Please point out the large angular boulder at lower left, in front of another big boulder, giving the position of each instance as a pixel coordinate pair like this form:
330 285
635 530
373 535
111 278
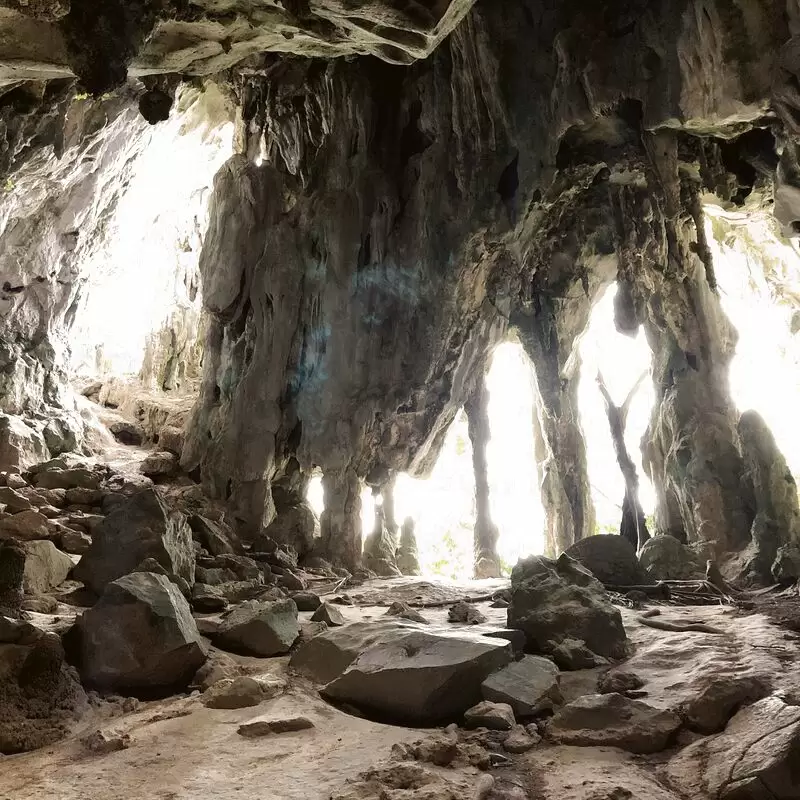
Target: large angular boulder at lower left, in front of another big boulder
140 637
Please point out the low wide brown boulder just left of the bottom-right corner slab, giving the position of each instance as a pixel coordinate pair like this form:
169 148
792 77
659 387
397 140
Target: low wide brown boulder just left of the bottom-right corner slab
612 720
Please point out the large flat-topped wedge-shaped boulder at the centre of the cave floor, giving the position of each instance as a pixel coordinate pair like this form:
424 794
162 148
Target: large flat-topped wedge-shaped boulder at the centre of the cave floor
418 675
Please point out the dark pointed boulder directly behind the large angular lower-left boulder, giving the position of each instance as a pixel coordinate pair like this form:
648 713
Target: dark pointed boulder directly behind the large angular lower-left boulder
139 528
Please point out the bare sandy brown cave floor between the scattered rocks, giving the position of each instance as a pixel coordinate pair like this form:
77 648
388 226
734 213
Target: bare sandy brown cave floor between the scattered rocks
180 750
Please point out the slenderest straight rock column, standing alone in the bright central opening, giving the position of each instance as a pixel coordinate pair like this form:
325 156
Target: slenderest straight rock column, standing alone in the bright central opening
486 534
